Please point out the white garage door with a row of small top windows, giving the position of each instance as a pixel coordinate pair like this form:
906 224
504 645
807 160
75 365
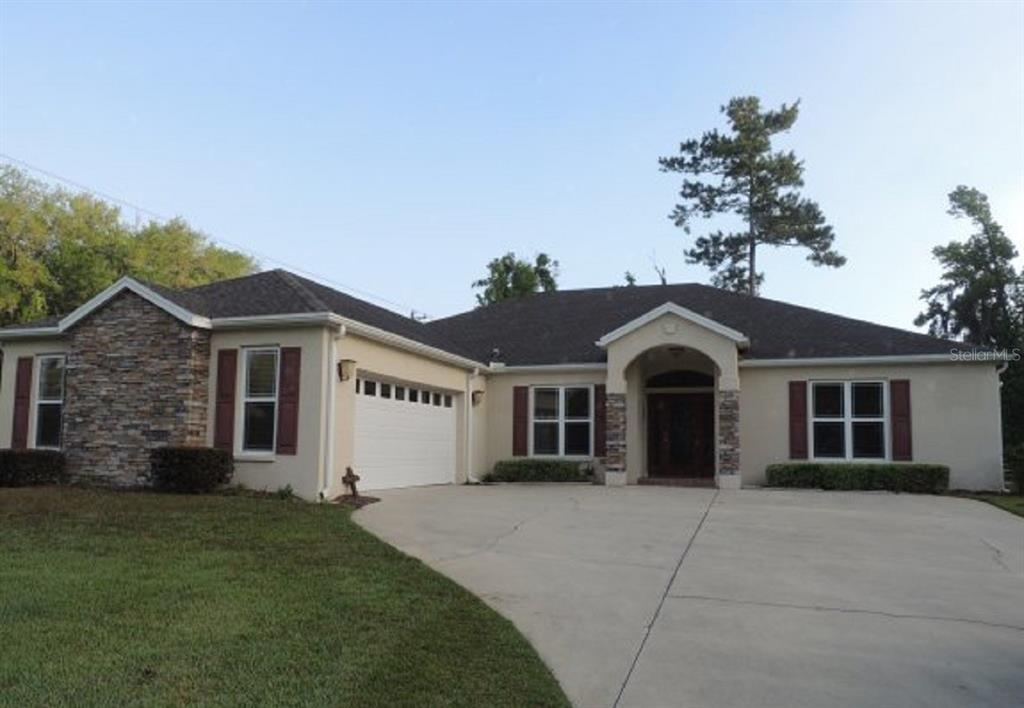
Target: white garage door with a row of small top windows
404 442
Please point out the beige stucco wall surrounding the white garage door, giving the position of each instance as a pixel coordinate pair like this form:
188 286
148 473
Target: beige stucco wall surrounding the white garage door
388 363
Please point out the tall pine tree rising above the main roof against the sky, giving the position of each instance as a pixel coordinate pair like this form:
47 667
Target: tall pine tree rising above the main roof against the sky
740 174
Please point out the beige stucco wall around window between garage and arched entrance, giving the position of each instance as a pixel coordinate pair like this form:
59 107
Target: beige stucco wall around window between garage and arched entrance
498 414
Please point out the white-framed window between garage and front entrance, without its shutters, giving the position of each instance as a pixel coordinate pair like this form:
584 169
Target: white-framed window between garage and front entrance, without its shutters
563 421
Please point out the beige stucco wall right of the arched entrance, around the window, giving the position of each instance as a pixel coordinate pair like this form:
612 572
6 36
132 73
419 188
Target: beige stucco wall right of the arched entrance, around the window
955 411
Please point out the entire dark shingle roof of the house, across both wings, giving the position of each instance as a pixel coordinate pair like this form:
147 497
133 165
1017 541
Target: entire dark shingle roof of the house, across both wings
560 327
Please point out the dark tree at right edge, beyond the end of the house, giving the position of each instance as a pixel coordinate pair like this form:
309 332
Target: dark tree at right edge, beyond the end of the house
980 299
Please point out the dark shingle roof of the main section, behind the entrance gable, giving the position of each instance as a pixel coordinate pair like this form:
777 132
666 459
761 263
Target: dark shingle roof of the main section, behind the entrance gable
562 327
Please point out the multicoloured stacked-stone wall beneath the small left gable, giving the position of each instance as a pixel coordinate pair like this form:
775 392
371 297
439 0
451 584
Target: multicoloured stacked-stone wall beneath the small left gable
137 380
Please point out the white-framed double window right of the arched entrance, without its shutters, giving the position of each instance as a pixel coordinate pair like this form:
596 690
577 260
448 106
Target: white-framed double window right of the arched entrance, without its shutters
848 420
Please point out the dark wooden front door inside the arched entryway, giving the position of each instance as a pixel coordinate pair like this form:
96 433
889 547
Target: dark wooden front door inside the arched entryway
681 435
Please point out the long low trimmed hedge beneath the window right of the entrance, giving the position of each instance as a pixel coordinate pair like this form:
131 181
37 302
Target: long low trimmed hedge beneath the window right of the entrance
922 479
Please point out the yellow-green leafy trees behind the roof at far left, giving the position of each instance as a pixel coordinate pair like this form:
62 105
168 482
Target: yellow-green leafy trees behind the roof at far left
58 249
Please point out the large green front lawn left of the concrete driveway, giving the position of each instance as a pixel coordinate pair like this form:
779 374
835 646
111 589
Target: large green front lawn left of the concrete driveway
114 599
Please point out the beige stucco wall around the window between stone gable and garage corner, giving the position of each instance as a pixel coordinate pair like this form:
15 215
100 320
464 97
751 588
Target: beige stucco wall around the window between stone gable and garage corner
305 471
